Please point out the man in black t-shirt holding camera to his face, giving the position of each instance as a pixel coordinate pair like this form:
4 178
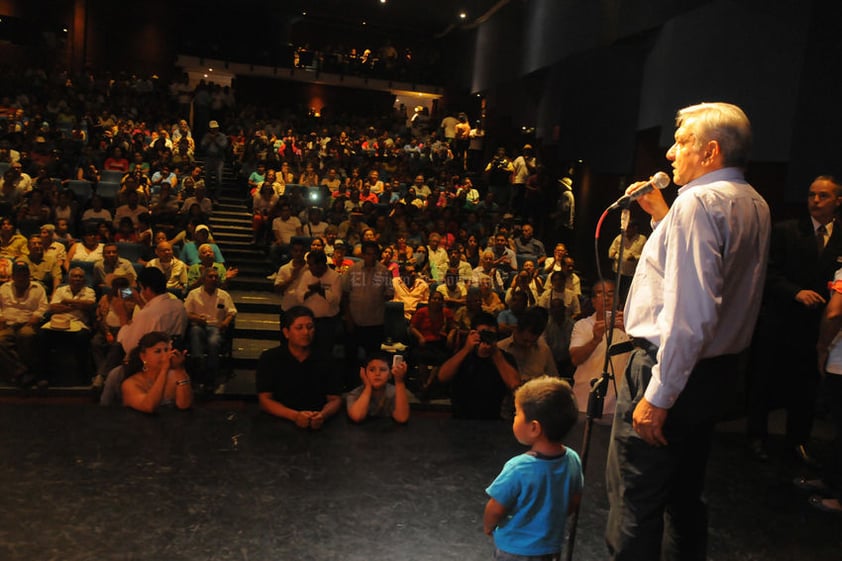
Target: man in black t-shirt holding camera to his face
480 374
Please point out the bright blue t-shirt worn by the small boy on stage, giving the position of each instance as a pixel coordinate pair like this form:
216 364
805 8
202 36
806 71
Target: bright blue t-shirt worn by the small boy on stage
536 494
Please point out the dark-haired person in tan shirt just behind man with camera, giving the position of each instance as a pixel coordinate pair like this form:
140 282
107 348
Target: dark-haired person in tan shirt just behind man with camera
532 355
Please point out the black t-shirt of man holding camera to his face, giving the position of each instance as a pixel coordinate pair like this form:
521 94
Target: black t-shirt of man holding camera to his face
477 390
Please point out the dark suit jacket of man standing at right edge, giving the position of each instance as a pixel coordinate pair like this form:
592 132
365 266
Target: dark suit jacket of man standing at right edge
794 265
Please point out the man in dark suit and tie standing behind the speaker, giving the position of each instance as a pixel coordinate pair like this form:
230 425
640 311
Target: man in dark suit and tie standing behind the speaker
803 258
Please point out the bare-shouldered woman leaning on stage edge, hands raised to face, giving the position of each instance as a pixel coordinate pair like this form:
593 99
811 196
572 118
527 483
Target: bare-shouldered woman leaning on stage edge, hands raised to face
156 376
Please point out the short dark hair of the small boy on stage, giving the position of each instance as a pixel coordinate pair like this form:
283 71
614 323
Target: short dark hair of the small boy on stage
551 402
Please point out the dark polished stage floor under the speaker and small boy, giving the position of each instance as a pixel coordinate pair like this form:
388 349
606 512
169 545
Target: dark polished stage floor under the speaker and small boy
224 482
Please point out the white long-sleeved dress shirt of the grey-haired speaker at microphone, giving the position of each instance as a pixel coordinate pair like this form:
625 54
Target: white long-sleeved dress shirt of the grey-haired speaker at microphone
697 289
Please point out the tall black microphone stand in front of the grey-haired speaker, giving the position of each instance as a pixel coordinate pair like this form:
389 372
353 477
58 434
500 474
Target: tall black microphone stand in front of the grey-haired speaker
599 386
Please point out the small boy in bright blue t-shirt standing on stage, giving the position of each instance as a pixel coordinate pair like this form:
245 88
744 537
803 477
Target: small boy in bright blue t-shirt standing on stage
533 495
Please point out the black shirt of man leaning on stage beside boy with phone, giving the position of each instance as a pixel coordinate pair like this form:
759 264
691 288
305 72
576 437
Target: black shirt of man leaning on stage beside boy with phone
303 386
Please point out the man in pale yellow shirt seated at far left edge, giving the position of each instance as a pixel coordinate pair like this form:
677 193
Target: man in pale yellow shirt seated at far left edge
23 303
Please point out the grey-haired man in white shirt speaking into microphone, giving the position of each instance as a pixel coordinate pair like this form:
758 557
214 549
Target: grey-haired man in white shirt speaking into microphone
691 310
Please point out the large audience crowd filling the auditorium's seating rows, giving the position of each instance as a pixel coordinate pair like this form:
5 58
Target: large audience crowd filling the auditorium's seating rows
105 181
